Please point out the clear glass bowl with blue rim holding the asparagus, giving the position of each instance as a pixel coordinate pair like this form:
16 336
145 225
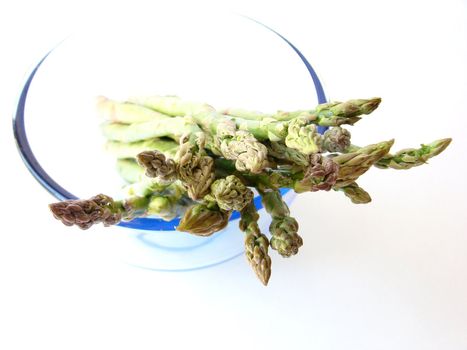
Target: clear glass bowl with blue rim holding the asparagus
224 60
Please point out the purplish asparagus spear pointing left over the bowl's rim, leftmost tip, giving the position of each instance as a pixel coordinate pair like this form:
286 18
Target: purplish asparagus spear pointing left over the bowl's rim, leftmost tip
98 209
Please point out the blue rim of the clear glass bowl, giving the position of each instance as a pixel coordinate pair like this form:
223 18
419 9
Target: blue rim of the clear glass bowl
149 224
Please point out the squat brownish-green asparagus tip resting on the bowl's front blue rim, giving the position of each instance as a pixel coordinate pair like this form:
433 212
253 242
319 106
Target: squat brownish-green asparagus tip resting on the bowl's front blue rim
204 219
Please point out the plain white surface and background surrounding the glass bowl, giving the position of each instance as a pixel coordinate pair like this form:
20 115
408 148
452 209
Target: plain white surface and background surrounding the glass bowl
389 275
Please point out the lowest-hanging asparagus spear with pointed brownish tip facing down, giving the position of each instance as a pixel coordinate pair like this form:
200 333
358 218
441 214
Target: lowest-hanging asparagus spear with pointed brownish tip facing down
256 243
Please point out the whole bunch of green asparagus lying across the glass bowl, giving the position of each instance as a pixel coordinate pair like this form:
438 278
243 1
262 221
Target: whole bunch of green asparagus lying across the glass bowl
189 160
